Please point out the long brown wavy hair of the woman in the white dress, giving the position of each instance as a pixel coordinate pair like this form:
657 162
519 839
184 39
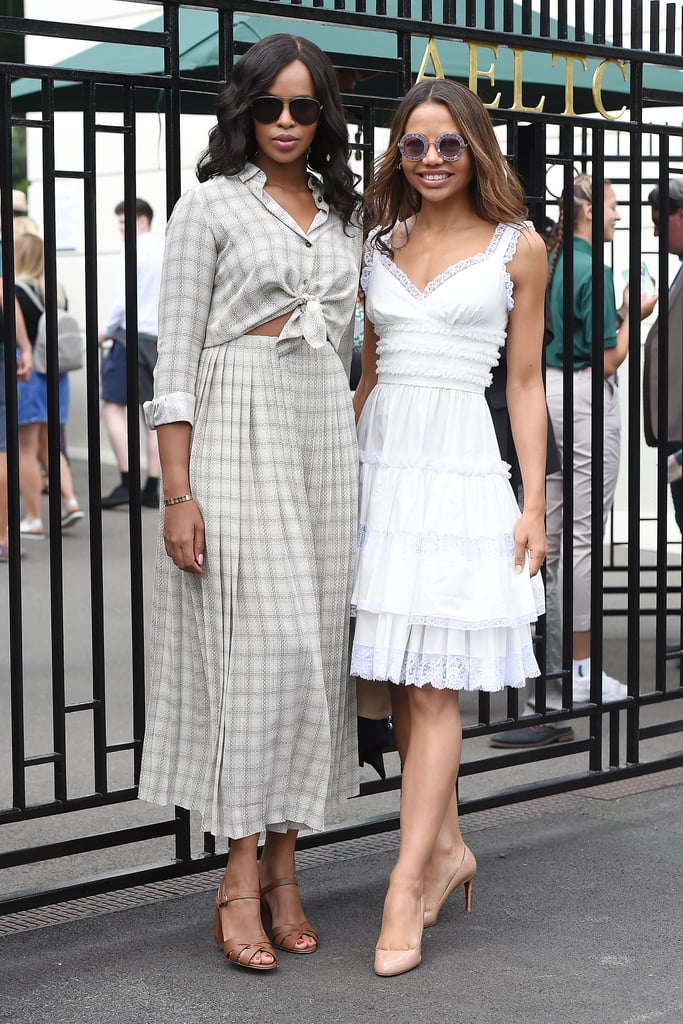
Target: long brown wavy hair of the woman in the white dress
495 190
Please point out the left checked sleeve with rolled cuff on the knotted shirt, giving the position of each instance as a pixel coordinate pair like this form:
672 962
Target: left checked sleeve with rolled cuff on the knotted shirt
185 305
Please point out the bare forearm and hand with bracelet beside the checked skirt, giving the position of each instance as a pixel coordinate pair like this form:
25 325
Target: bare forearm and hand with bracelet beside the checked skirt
184 525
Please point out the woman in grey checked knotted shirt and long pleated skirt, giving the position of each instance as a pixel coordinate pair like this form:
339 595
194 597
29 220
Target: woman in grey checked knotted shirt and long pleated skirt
251 721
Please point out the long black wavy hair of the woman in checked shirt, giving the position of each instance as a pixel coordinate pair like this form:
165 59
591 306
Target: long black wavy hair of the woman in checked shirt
233 141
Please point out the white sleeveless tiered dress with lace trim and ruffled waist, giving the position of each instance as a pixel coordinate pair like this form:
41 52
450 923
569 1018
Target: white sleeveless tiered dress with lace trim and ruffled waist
436 594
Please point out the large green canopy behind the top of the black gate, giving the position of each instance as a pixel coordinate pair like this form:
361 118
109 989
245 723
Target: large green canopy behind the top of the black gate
369 58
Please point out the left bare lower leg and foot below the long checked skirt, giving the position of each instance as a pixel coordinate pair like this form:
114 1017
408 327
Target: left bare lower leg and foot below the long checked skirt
241 919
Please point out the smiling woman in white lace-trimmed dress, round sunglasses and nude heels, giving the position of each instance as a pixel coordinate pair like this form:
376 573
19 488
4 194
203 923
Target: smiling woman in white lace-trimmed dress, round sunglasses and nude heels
446 585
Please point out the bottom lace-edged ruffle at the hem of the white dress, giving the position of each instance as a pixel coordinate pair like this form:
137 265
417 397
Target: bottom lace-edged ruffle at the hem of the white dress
453 672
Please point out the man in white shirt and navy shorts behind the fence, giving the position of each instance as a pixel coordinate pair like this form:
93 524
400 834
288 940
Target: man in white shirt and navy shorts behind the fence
150 258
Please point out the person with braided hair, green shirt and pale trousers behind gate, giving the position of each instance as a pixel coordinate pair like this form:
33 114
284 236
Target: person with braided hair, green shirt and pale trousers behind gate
580 356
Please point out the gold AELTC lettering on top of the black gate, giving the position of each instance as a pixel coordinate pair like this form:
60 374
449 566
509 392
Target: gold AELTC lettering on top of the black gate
476 73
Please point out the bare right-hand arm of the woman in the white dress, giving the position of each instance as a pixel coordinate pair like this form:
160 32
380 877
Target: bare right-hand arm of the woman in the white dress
526 396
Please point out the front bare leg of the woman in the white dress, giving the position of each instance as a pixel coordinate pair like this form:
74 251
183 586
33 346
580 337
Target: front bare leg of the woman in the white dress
431 769
